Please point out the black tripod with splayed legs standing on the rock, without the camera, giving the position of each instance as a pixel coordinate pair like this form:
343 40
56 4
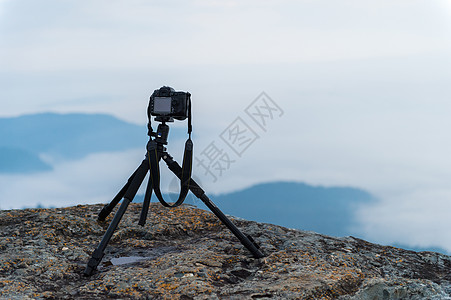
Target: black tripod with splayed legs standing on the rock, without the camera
128 192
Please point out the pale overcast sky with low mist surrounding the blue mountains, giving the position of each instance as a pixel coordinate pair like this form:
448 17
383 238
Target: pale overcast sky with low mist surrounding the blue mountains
362 91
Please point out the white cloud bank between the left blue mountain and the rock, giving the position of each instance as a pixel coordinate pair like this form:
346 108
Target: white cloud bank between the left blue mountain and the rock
91 180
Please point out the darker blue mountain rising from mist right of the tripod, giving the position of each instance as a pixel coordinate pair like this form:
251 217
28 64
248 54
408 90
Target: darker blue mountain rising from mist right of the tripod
327 210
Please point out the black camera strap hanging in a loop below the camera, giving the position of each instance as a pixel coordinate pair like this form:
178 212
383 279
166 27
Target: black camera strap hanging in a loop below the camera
152 153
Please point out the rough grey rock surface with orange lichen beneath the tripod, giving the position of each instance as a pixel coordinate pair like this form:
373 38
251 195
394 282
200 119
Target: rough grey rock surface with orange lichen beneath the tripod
186 253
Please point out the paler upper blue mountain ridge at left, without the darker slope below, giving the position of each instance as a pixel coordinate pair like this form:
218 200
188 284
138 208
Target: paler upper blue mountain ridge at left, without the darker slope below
69 135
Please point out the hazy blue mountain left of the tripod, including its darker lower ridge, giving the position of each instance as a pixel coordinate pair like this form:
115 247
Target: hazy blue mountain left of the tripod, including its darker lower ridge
68 136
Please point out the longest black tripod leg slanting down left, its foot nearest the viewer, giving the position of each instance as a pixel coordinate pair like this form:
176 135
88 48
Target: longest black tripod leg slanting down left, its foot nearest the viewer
133 187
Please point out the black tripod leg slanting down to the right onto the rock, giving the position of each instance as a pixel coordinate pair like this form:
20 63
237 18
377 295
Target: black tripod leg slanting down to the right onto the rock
247 241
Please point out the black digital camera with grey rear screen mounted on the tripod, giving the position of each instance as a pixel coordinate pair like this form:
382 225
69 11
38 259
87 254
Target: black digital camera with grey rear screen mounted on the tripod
166 102
